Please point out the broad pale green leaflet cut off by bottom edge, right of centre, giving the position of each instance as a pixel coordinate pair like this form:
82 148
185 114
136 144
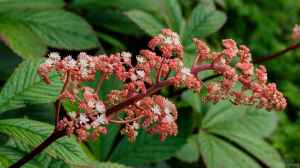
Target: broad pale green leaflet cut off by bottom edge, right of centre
217 153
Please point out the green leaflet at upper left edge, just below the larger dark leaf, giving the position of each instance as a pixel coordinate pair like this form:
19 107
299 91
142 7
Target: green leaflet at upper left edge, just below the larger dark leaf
20 39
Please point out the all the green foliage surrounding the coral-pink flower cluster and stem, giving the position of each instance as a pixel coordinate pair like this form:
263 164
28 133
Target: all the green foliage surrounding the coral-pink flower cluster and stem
212 136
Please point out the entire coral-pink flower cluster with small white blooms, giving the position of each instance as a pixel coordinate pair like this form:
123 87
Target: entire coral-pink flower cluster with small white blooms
144 77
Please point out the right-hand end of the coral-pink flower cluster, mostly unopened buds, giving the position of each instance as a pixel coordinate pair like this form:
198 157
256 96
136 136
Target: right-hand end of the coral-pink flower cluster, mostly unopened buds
240 82
